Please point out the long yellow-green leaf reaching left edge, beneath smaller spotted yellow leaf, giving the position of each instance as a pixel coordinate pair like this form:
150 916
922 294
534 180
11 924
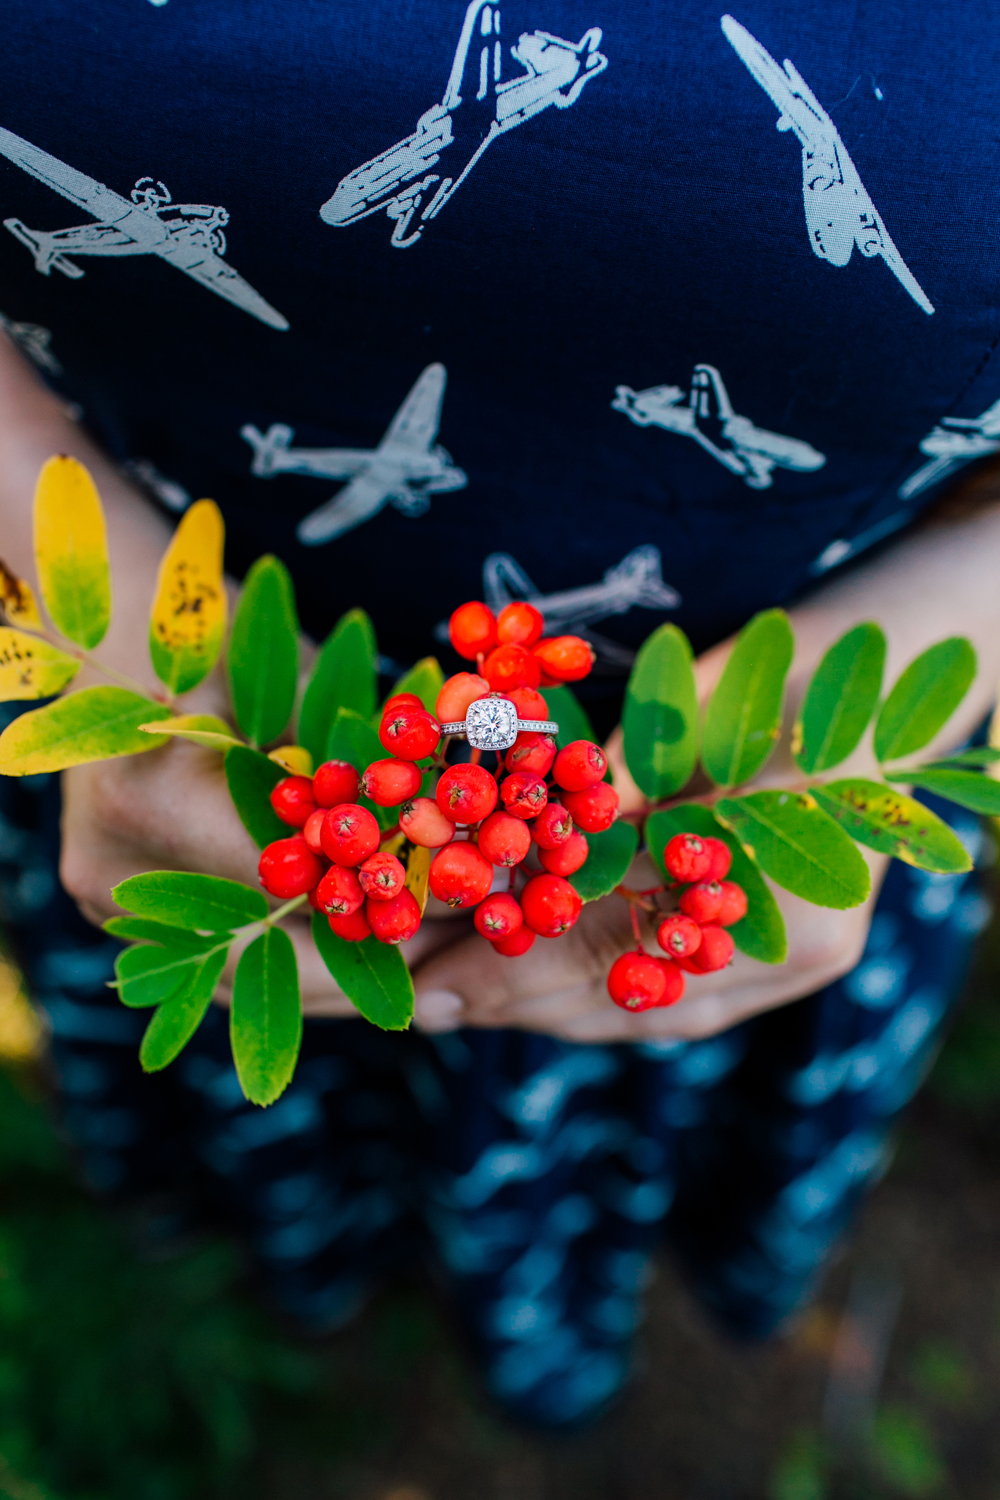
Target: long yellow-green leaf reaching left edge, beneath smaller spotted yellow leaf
97 724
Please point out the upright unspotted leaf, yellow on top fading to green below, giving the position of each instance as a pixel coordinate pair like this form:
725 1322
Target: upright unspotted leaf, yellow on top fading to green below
71 551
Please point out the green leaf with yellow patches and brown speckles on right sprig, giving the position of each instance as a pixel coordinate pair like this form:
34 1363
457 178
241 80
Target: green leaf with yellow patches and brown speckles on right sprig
894 824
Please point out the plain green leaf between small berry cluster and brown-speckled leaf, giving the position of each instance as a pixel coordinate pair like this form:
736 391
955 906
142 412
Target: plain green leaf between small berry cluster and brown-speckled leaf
800 847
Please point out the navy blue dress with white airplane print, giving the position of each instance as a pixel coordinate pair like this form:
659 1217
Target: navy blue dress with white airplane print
531 301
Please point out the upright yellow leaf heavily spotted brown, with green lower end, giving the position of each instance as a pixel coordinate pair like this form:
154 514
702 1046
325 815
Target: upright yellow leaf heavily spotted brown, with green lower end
190 611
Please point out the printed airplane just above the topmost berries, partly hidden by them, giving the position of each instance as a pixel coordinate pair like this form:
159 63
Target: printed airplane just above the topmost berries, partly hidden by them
633 583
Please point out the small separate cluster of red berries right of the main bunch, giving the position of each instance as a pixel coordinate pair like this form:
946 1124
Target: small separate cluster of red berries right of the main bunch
695 937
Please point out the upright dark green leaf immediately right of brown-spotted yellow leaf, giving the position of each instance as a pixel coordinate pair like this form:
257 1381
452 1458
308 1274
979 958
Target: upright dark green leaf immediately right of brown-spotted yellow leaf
265 652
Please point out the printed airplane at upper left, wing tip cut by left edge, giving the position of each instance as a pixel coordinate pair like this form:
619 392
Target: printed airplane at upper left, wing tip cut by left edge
187 235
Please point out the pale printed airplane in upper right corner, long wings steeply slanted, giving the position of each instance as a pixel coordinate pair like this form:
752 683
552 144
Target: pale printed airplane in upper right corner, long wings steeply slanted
839 212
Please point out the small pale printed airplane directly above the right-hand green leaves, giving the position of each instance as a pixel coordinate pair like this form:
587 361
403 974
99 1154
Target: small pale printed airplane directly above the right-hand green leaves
710 419
